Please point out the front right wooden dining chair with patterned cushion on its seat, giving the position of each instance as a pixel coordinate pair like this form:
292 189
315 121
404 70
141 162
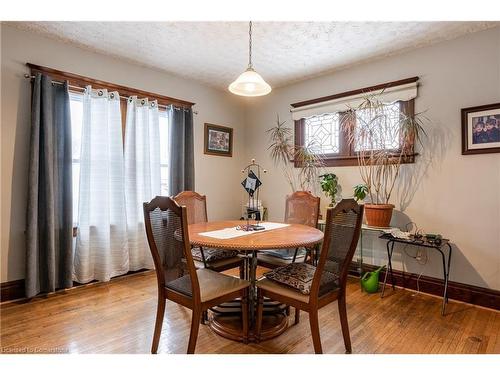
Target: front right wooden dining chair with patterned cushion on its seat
309 288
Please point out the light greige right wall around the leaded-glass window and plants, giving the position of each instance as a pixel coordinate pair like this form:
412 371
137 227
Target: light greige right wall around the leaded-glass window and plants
458 196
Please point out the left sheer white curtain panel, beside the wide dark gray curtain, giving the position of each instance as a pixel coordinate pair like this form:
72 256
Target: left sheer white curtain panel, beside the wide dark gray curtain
101 245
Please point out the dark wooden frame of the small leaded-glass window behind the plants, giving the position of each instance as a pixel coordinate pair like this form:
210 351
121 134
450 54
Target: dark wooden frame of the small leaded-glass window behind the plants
346 155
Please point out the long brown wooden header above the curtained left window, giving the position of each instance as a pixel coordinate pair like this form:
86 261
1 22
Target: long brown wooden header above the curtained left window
82 82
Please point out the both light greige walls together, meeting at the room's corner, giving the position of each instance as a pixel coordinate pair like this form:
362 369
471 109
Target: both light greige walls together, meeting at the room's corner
458 196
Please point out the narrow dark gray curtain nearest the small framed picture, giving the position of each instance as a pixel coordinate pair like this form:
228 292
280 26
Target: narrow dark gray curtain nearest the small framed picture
181 175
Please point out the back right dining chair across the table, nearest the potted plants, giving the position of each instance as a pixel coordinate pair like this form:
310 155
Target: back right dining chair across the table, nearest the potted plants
301 207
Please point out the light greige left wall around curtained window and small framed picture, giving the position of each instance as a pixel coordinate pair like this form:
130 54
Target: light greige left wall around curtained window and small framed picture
217 177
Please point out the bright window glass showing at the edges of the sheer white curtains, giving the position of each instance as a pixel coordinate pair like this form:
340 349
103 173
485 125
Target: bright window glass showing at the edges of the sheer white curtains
76 108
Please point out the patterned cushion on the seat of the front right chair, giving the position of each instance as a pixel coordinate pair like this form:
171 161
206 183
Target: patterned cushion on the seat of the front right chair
299 276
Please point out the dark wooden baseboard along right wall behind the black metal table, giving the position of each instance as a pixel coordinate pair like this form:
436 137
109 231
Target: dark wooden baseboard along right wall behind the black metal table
461 292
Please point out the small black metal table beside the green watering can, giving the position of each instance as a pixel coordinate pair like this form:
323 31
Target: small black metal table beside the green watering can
445 243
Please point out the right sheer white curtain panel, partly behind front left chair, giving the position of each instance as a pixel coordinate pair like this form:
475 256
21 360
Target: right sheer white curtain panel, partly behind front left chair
142 174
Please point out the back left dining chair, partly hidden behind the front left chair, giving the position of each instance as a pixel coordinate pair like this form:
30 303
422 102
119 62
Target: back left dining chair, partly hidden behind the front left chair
214 259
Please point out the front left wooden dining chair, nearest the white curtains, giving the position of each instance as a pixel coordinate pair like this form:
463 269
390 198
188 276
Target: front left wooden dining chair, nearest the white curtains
178 279
